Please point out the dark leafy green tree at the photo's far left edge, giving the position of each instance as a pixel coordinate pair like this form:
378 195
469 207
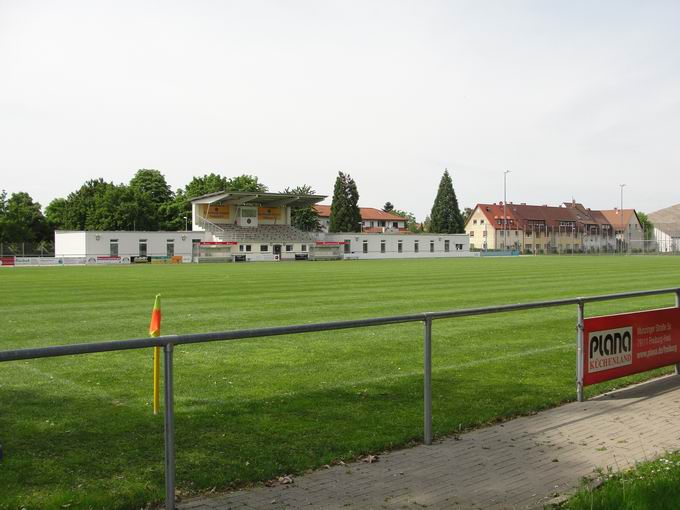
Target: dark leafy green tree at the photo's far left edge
23 221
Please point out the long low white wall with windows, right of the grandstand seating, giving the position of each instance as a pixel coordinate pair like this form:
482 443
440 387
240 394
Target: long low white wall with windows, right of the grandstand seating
356 241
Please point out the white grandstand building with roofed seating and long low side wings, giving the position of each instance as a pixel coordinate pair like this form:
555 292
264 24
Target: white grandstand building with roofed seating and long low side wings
240 226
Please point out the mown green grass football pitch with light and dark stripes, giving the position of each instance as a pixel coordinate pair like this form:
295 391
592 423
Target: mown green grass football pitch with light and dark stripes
79 431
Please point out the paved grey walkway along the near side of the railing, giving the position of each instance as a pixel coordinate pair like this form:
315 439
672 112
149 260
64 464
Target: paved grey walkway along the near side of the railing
523 463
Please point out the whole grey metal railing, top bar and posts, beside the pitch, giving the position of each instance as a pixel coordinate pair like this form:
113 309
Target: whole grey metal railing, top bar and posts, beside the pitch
168 343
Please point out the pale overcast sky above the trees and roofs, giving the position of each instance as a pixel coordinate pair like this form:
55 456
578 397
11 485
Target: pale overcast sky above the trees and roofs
572 97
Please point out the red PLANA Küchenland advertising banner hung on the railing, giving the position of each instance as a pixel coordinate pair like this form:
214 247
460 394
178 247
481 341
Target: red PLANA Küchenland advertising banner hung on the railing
619 345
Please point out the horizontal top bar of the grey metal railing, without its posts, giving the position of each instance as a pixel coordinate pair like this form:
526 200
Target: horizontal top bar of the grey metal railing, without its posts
142 343
